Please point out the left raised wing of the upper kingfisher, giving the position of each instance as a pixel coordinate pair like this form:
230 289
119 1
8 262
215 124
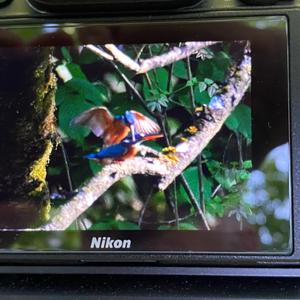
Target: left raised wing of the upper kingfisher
98 119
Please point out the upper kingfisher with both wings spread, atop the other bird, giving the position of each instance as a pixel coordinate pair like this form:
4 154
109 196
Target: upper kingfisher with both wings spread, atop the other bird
115 129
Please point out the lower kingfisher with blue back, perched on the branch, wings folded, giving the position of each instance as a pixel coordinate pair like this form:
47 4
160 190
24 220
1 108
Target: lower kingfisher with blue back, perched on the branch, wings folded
126 149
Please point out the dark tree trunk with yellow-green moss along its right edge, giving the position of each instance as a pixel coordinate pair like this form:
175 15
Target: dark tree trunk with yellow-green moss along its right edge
29 139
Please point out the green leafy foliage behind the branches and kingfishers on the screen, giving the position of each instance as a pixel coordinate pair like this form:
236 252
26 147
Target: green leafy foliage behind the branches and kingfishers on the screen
167 93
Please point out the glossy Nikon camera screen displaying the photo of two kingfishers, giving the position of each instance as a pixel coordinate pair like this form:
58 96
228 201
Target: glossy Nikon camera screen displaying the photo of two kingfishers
145 137
